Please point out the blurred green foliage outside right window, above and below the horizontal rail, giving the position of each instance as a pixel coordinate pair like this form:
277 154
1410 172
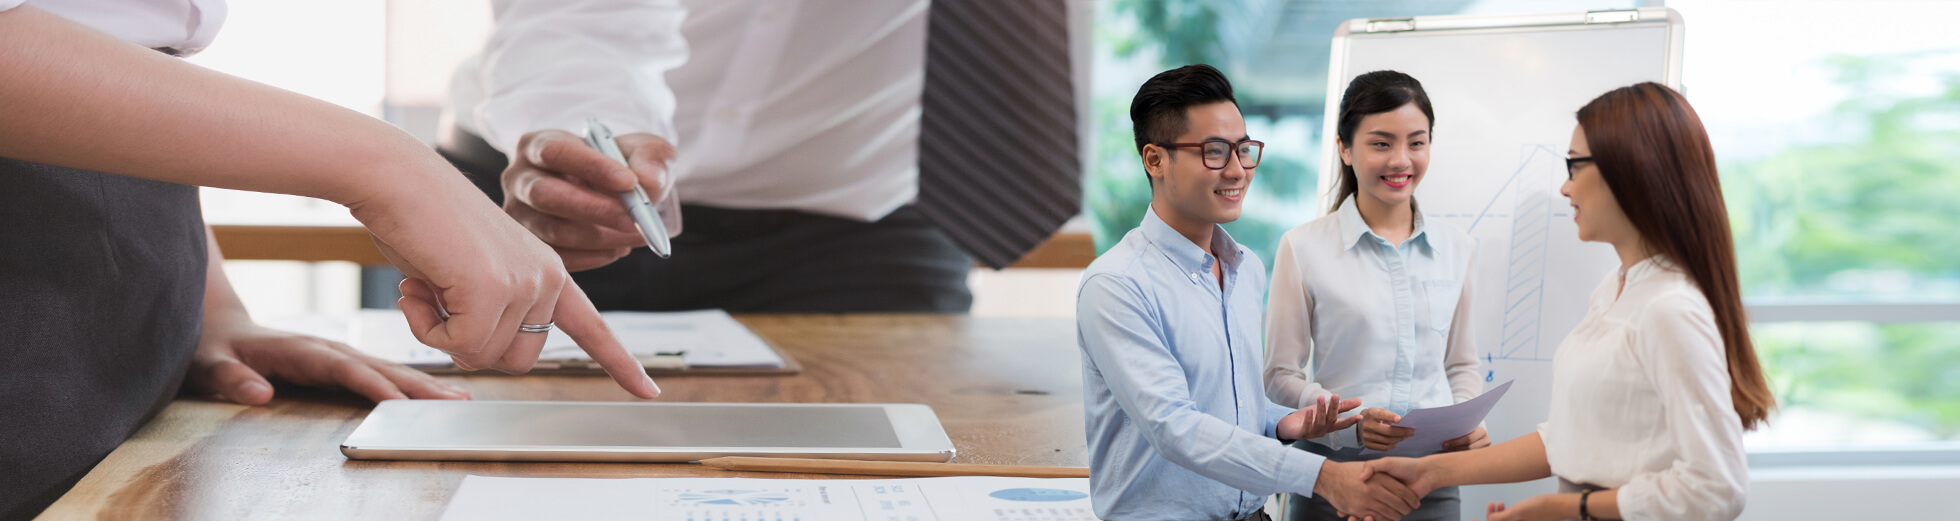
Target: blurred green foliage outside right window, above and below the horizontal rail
1867 218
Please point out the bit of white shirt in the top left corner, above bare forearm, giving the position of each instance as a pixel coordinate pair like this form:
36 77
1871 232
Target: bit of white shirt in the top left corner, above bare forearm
181 26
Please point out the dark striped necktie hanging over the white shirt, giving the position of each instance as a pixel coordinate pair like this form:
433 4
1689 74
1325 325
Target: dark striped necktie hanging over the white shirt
999 167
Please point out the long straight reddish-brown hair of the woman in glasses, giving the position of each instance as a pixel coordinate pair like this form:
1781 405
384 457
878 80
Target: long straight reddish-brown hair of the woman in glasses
1657 160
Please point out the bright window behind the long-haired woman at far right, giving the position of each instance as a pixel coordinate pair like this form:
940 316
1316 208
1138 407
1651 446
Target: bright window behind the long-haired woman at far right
1839 142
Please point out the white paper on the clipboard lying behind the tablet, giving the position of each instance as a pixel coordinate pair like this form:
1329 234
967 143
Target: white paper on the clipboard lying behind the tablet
709 338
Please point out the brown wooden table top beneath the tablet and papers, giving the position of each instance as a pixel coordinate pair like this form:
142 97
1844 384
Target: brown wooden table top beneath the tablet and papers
1008 393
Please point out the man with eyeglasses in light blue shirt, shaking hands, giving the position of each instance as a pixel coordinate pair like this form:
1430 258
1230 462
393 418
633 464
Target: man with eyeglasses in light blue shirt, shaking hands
1169 324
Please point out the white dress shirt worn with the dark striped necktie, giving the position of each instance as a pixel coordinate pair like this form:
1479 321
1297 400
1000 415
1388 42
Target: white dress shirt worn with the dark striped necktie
781 105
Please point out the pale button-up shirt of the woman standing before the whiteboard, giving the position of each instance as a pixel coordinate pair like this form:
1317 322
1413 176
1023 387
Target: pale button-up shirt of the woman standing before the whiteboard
1355 316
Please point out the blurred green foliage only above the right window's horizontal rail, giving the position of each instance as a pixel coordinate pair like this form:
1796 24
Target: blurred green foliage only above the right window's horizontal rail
1873 216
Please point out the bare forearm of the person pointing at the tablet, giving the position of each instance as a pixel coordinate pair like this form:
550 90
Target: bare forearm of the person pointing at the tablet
81 99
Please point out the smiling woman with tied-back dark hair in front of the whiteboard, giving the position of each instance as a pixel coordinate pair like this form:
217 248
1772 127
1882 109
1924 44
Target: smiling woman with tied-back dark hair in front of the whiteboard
1365 299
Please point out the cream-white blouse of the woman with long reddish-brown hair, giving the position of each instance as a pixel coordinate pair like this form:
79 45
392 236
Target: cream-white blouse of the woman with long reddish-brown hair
1643 403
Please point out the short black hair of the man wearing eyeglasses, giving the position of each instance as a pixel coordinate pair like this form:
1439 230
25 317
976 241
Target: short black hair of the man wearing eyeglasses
1157 113
